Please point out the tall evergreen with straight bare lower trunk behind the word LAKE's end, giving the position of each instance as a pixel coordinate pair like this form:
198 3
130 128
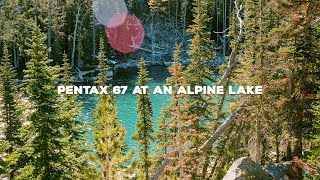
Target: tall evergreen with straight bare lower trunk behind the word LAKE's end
255 70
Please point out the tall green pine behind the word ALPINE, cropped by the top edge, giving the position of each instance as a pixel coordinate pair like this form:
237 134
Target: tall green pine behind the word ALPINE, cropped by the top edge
199 72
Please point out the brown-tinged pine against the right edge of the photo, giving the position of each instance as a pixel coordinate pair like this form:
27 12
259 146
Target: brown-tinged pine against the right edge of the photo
300 54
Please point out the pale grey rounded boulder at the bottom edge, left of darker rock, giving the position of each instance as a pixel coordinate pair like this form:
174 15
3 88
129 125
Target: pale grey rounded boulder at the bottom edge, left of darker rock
246 169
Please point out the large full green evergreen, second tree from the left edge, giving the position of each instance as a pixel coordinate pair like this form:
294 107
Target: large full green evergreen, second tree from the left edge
42 134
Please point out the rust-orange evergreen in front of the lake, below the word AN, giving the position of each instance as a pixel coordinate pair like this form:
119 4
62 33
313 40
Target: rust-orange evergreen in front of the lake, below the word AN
168 135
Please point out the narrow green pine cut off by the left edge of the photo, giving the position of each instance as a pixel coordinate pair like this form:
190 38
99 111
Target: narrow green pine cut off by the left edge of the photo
9 117
